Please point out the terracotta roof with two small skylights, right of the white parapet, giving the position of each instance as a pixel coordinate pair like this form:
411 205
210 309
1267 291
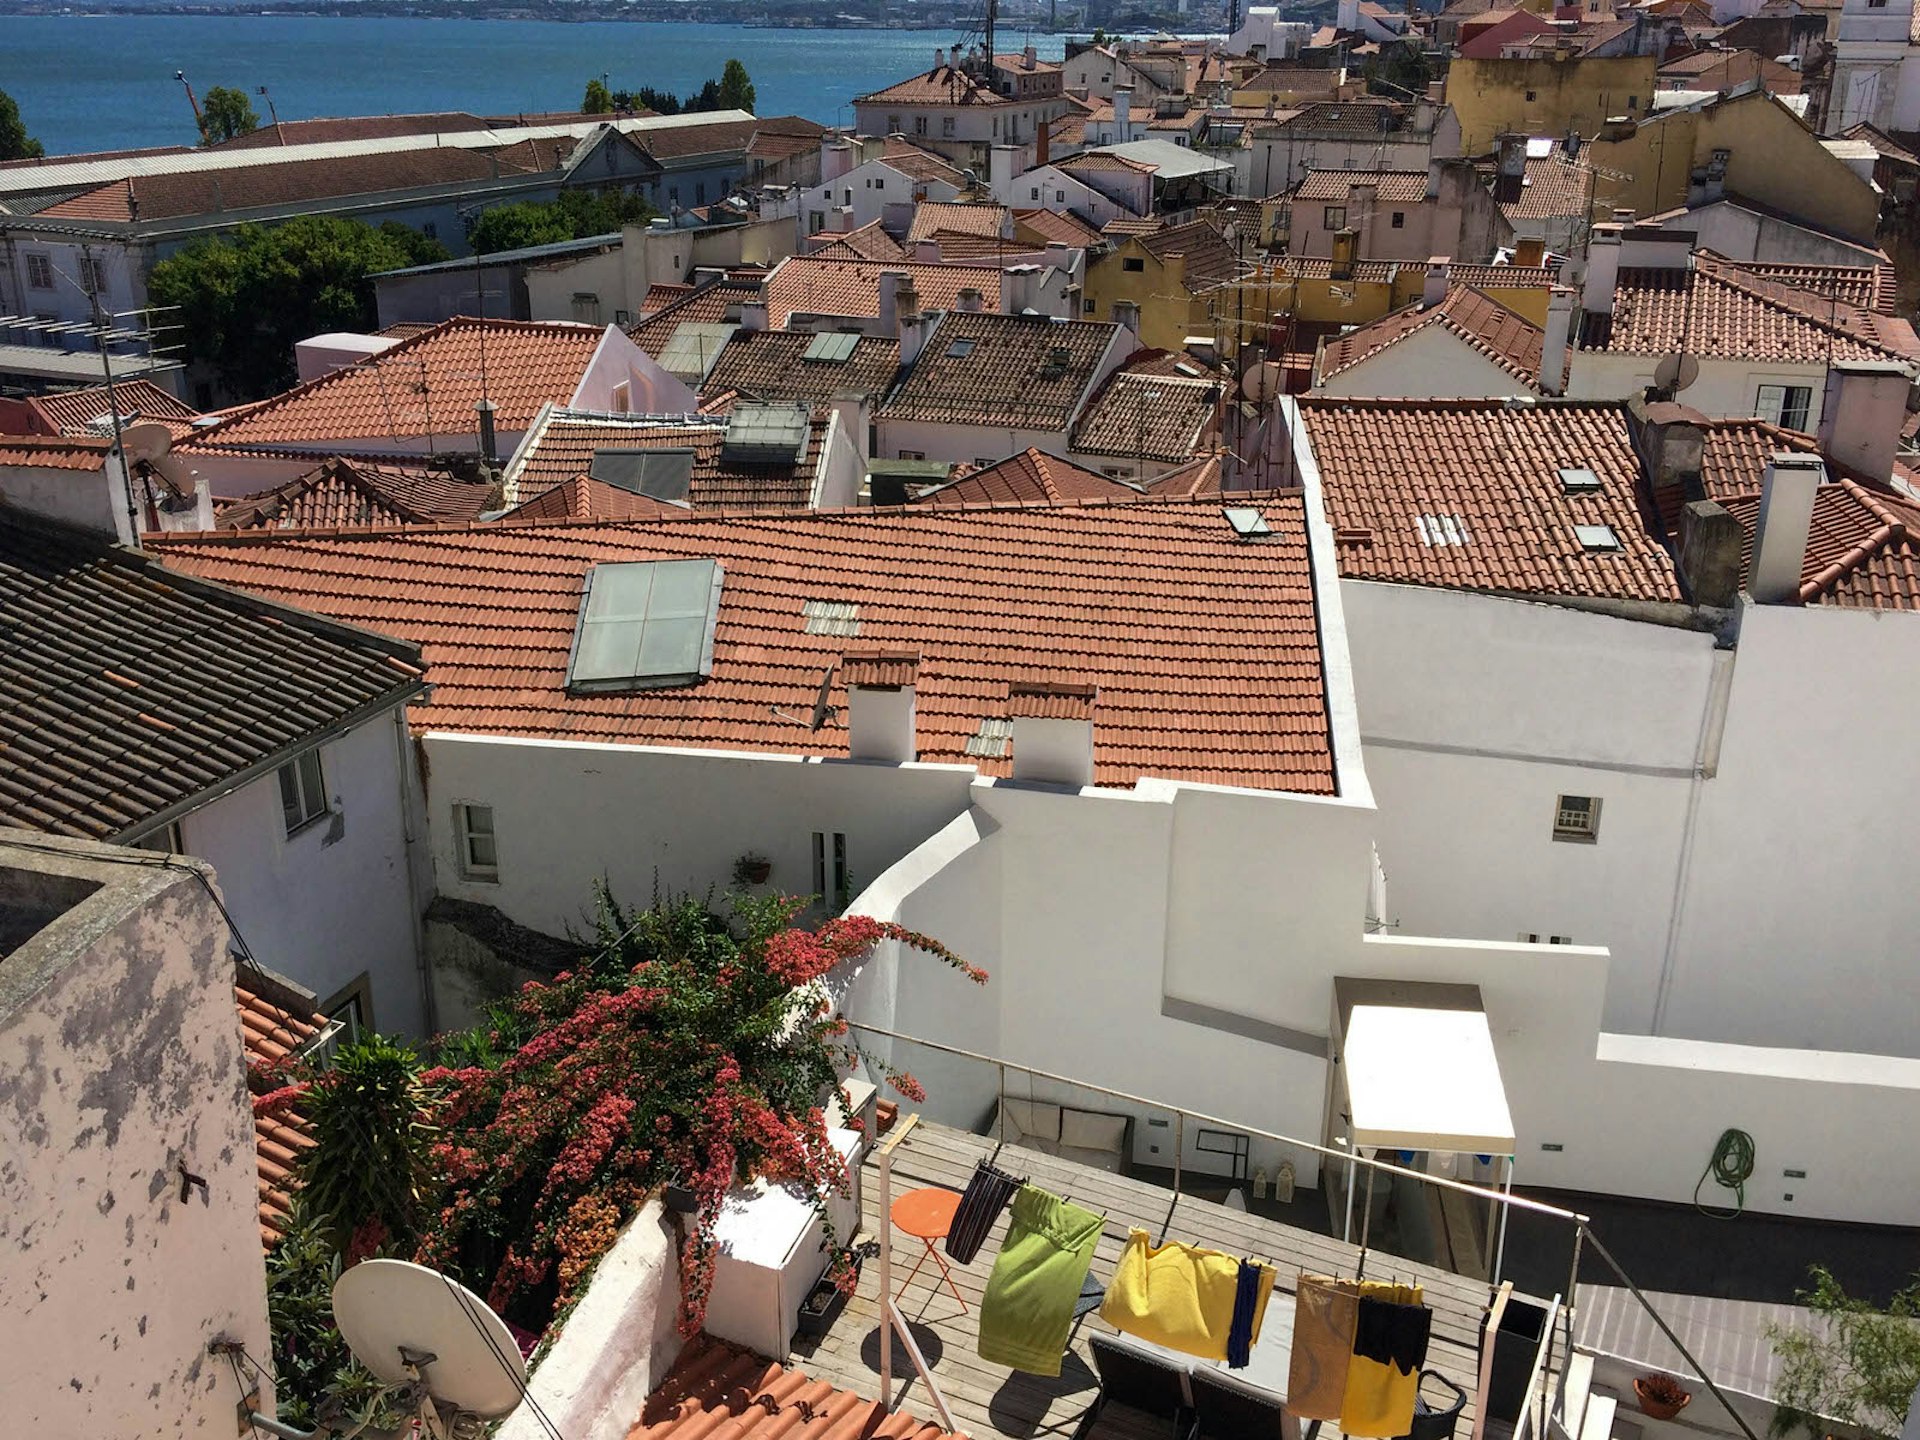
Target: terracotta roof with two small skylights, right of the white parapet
1468 496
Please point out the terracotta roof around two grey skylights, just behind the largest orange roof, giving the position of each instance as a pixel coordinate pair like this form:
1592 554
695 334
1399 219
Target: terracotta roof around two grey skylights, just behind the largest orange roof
564 444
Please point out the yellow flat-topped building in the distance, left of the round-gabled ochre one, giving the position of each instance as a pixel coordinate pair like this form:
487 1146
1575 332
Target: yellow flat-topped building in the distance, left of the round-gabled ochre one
1548 95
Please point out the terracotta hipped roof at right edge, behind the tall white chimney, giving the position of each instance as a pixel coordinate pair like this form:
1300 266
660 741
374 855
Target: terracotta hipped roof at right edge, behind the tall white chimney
1863 546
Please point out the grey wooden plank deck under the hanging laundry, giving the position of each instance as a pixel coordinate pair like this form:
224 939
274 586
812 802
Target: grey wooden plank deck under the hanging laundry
988 1399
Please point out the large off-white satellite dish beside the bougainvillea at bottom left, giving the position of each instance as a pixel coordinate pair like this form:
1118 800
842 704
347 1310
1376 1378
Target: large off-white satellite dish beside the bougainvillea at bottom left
414 1326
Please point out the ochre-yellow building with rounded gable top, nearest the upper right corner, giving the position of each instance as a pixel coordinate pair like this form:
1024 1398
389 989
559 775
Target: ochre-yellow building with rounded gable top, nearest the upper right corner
1773 158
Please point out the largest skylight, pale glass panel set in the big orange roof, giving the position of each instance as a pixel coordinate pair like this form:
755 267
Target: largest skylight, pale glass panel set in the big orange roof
646 627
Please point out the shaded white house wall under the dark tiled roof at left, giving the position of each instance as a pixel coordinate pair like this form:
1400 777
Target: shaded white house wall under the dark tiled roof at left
316 909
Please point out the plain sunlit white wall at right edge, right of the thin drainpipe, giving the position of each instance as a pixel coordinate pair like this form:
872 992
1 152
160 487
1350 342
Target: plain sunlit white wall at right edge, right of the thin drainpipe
1802 907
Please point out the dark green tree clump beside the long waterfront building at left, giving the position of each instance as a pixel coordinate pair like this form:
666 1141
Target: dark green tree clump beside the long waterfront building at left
249 297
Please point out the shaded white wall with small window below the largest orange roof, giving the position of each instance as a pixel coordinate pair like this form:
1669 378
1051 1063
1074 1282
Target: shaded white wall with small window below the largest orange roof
567 813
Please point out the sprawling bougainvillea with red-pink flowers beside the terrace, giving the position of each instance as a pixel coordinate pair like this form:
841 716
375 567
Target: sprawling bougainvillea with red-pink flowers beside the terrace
684 1047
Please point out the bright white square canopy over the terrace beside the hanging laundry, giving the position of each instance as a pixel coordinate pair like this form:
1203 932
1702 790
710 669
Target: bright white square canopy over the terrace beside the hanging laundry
1426 1080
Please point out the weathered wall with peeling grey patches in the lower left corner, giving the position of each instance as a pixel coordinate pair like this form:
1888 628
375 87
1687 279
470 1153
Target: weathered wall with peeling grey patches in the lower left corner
120 1061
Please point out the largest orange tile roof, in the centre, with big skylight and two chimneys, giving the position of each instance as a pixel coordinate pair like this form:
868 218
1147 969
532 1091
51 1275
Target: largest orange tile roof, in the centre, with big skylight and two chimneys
988 598
